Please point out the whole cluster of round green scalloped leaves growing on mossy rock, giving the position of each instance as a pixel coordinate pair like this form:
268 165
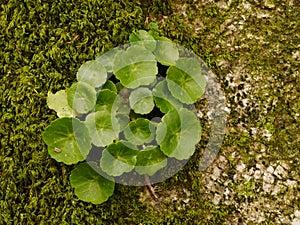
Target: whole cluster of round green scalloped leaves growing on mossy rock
108 108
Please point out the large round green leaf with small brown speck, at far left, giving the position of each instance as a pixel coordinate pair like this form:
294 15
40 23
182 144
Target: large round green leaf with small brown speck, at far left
68 140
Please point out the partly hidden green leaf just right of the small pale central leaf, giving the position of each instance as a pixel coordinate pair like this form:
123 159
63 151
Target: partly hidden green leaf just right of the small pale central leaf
164 99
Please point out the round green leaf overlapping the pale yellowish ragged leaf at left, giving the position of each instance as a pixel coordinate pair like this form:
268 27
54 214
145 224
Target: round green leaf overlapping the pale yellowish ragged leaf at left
81 97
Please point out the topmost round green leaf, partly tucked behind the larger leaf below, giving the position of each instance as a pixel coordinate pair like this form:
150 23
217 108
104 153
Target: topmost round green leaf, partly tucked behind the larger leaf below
143 38
